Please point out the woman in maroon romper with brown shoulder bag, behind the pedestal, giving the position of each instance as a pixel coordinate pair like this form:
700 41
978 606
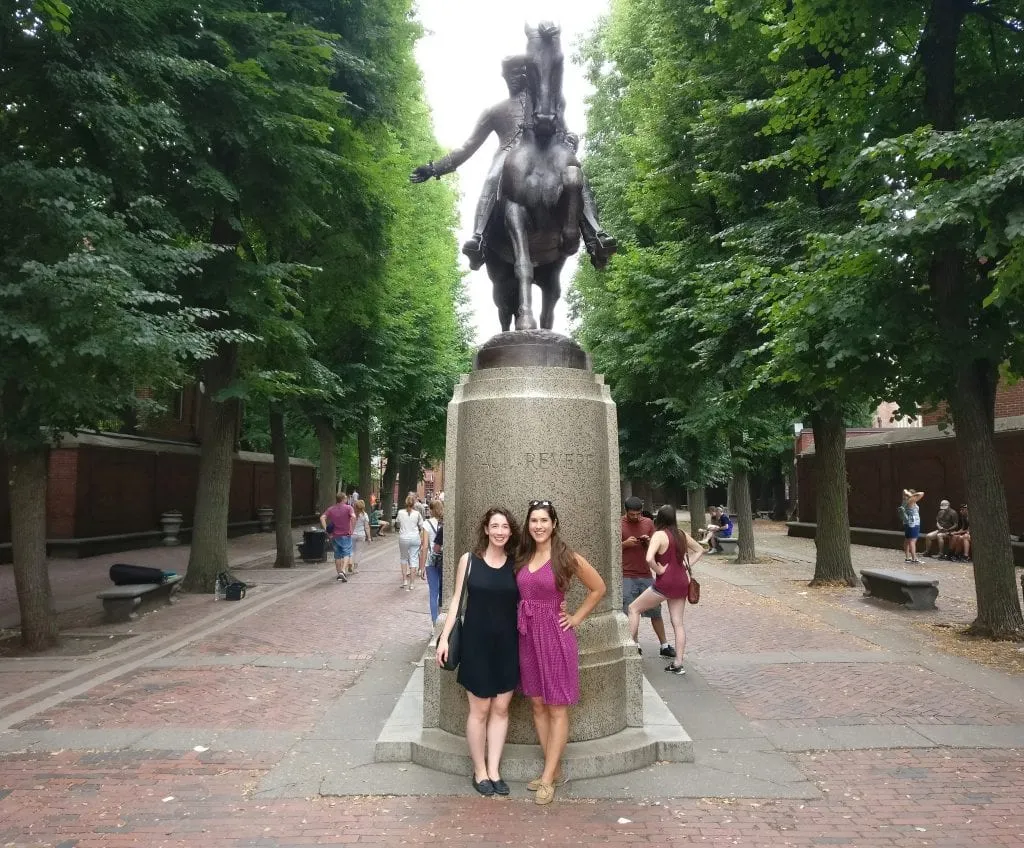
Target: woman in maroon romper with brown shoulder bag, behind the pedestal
671 555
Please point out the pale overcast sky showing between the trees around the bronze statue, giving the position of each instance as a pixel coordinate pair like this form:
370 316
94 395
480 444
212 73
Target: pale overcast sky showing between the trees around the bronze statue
460 56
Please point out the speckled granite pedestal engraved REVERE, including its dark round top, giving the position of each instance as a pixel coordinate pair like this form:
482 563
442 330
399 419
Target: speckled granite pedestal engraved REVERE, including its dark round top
533 421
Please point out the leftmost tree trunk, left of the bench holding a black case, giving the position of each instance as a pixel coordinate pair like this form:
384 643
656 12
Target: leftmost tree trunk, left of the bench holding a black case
27 486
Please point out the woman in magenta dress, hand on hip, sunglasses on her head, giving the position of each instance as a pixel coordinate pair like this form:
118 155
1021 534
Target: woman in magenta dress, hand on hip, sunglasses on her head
549 657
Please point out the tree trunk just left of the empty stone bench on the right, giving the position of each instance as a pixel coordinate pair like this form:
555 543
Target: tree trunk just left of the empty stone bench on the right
832 539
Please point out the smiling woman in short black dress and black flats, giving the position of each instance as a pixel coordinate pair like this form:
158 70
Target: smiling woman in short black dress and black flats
490 667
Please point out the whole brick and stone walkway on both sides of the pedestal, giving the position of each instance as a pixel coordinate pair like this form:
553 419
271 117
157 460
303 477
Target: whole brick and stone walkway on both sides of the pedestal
169 745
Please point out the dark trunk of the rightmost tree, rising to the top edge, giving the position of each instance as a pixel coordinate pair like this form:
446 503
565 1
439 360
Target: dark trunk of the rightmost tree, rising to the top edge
972 403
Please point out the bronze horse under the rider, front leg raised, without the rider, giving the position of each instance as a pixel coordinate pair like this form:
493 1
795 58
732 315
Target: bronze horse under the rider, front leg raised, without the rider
536 225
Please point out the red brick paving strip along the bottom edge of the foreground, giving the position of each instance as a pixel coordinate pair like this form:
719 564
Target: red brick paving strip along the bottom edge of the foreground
892 799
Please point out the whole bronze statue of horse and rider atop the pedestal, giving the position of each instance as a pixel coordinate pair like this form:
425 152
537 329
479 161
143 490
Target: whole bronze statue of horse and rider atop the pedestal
535 186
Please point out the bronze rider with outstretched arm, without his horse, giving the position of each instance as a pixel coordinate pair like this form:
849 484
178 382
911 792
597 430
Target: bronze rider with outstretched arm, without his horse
506 120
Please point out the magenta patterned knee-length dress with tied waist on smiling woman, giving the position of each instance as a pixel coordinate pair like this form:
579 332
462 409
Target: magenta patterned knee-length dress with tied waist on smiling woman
549 657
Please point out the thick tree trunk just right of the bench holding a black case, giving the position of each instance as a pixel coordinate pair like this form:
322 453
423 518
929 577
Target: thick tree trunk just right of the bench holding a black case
218 430
